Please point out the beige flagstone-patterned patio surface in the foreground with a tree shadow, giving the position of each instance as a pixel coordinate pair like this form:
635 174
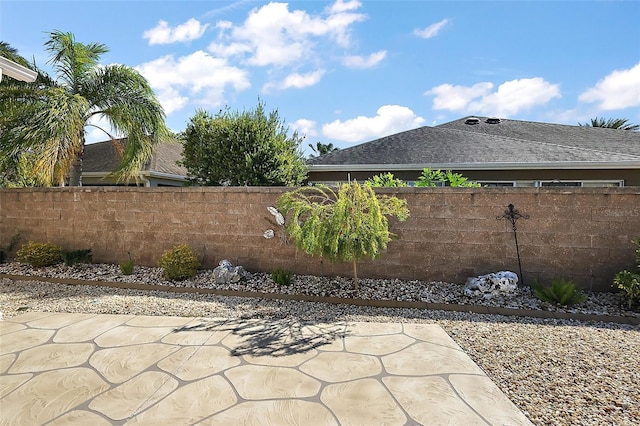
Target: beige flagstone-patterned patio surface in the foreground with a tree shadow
84 369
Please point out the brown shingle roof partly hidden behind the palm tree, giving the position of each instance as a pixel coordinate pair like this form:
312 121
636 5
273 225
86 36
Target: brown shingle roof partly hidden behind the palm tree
103 158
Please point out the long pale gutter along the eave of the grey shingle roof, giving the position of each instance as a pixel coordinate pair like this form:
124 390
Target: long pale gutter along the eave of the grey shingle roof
569 165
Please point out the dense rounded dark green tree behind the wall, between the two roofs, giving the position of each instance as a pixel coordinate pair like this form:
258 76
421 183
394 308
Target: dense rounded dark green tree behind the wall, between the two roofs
249 148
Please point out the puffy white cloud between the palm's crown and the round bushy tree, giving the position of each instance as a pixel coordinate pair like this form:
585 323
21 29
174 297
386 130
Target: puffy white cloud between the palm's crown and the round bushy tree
196 74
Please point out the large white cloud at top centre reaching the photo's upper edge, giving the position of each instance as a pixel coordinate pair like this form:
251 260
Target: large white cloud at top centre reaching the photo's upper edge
272 35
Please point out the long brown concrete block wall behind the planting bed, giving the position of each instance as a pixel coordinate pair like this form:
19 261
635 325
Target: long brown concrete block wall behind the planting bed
583 234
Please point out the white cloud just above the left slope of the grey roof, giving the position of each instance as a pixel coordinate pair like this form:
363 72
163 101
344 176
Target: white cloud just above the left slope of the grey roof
389 119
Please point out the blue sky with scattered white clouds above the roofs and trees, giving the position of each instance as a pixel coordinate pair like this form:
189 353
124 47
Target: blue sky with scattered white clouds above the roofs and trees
350 71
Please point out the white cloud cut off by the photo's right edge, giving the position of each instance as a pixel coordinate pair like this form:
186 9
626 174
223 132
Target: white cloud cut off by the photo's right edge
618 90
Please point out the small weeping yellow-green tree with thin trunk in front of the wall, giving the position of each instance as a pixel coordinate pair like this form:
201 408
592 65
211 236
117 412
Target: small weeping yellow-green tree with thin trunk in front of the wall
346 225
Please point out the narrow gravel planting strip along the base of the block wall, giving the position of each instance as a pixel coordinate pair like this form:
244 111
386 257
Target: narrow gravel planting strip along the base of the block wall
371 289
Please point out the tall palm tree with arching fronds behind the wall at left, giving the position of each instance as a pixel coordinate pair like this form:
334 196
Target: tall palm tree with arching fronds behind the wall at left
49 117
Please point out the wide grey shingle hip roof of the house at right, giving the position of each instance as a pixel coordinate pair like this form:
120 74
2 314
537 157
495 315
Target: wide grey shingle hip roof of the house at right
505 145
